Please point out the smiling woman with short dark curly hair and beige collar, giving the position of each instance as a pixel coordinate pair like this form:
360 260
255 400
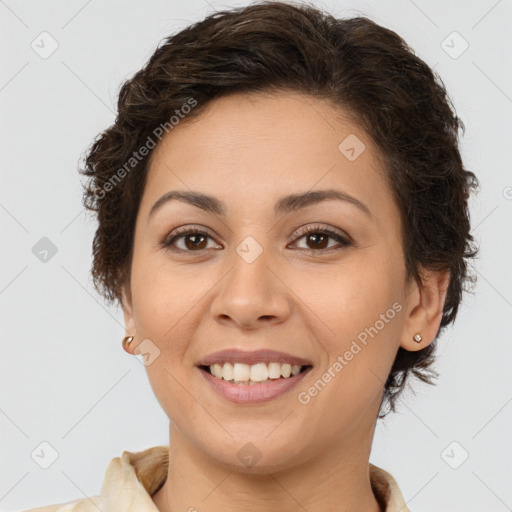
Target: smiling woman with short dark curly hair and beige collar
283 218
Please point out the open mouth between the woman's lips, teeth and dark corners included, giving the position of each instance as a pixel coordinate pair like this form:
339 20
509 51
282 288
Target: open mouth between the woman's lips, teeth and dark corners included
262 374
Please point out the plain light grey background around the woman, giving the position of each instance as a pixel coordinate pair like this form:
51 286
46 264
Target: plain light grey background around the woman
64 377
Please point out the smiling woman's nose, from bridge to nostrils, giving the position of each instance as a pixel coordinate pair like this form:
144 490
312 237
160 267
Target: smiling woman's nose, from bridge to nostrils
252 294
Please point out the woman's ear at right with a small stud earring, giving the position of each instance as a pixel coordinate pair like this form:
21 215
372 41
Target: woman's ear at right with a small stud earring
425 308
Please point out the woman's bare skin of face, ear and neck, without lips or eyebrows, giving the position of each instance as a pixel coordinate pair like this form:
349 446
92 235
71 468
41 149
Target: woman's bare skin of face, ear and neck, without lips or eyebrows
301 296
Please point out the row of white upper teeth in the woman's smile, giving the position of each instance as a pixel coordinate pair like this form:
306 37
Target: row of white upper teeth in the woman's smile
240 372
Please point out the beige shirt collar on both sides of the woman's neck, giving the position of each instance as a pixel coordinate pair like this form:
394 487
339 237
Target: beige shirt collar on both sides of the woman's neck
131 480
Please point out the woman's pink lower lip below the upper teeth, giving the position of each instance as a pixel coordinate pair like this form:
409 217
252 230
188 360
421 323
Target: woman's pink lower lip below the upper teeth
253 393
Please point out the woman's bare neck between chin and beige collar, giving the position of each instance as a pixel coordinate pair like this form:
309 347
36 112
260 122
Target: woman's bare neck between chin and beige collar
336 479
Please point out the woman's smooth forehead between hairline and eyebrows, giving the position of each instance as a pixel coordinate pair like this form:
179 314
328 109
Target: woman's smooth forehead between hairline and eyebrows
248 149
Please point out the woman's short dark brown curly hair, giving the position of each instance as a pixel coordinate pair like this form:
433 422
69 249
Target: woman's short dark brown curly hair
353 63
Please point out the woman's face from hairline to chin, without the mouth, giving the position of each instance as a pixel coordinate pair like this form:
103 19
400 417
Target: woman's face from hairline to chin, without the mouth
254 280
